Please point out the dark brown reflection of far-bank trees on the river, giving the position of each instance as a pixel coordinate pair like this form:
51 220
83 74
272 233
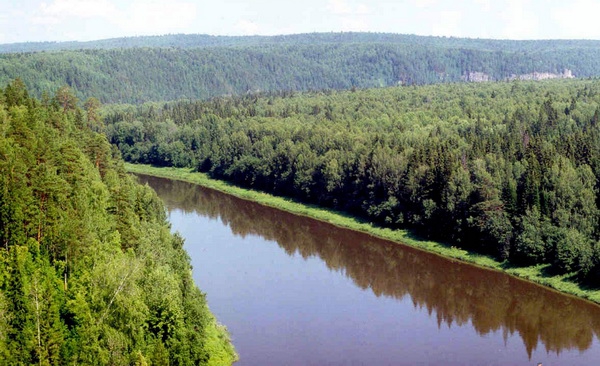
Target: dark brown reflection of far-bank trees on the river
453 292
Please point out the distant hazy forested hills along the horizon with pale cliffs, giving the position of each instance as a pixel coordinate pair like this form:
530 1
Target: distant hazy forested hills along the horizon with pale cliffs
136 70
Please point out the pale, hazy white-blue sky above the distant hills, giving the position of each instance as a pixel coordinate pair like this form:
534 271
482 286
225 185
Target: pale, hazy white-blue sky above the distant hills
83 20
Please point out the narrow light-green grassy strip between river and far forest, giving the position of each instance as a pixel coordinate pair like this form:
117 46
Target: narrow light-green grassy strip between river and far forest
537 274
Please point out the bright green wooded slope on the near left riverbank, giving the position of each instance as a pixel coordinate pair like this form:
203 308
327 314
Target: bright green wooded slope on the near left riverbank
89 271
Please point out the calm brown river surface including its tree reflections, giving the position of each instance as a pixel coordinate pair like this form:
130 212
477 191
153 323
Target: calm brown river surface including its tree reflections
295 291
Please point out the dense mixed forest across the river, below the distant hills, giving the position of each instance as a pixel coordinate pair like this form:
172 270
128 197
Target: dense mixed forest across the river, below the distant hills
508 169
